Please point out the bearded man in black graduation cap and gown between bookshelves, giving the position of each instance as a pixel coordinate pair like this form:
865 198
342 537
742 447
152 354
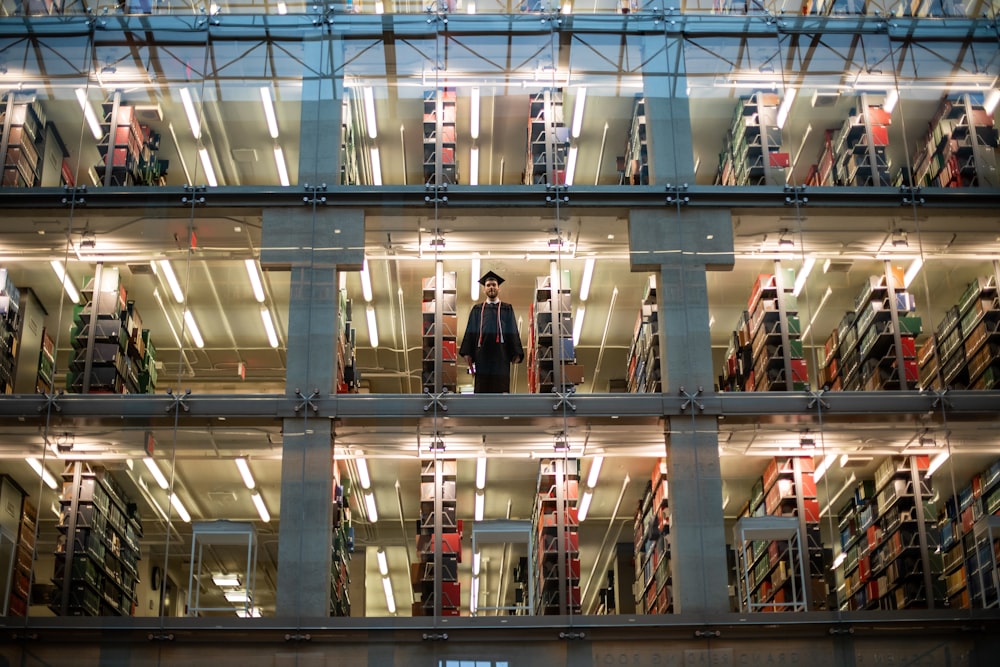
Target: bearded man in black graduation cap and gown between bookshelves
492 342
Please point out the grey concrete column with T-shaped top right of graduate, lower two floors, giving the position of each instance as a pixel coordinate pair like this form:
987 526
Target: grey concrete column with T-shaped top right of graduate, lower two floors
680 246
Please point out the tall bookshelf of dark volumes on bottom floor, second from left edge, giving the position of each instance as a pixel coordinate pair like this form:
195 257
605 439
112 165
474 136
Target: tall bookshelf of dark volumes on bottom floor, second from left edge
97 550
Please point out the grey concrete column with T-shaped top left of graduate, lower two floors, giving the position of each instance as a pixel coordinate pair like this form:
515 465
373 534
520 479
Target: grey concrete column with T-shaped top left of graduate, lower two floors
314 244
